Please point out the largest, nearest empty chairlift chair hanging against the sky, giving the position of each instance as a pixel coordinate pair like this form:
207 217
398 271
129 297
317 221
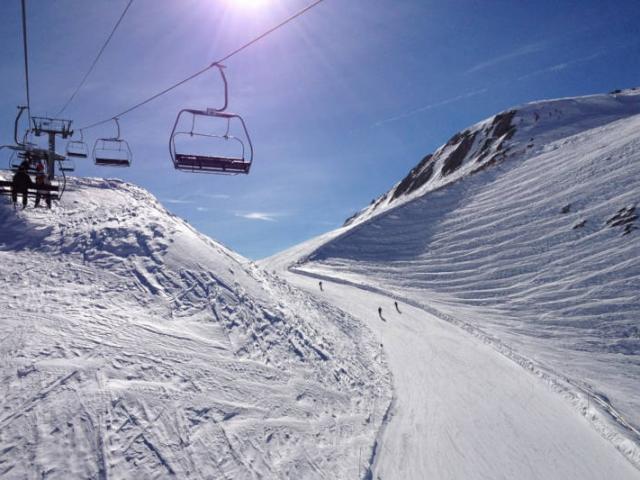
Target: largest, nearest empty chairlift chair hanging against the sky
238 161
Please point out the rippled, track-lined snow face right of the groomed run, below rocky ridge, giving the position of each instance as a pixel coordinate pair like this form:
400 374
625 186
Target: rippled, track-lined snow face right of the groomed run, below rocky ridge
496 250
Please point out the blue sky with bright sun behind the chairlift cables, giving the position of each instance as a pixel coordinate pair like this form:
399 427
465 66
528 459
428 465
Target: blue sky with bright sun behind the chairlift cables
340 104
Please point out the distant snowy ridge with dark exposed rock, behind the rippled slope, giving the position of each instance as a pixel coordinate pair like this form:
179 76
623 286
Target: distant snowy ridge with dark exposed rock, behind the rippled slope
516 133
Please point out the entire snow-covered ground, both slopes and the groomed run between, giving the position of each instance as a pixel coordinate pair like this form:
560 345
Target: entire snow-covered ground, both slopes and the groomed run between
134 347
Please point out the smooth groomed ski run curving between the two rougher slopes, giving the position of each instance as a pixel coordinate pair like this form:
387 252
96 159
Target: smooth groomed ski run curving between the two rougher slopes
463 410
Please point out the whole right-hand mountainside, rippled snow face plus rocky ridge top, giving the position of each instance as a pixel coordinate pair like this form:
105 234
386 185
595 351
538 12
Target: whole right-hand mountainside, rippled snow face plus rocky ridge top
523 233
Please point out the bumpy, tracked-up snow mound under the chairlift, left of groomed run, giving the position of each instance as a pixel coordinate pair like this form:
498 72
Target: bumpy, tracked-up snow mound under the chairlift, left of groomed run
134 347
